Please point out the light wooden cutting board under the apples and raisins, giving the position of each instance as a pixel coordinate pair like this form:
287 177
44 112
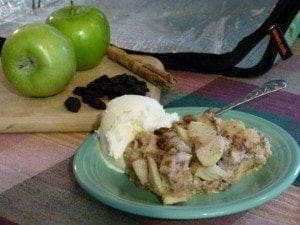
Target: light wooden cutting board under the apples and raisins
22 114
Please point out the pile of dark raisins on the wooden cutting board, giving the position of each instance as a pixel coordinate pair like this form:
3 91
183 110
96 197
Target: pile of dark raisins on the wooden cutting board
105 87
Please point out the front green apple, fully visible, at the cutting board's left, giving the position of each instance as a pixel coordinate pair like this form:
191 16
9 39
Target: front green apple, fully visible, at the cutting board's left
38 60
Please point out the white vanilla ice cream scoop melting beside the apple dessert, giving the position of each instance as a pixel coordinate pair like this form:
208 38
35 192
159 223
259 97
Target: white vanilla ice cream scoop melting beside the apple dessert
123 118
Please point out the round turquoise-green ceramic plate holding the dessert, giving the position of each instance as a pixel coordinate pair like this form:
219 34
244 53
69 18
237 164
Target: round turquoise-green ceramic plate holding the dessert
116 190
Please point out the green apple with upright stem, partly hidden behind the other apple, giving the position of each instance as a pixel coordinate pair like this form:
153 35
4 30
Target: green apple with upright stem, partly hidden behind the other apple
88 29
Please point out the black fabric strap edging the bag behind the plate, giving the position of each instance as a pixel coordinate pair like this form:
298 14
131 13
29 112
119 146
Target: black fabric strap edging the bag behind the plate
225 64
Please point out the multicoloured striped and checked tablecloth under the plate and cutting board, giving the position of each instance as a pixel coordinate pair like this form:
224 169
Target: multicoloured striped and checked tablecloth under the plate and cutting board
37 185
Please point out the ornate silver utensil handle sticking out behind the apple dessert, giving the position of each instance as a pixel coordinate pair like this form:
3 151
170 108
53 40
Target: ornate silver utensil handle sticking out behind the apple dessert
266 88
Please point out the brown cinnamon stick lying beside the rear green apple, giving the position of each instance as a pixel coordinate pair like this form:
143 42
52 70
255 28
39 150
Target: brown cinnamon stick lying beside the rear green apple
145 70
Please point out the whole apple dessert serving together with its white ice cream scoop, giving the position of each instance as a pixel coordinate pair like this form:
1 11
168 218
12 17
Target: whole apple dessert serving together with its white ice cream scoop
197 154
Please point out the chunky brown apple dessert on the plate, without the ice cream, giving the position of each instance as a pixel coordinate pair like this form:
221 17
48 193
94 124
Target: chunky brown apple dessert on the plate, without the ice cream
199 154
